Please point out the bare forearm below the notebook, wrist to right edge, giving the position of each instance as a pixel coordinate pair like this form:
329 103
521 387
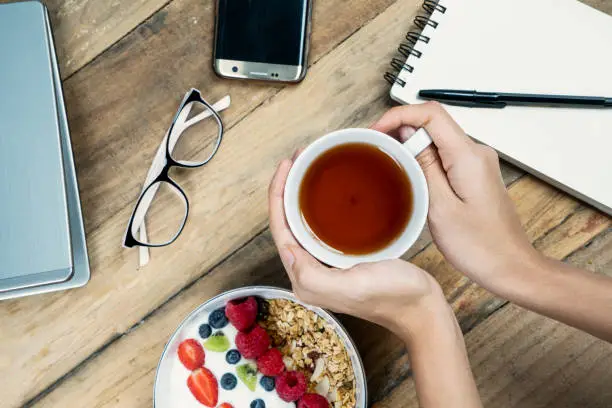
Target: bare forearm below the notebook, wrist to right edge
570 295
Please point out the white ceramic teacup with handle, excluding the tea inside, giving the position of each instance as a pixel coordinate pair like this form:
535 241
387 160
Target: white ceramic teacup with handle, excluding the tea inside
404 155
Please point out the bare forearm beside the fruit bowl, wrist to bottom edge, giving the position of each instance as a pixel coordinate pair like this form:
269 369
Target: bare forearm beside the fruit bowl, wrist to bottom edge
439 361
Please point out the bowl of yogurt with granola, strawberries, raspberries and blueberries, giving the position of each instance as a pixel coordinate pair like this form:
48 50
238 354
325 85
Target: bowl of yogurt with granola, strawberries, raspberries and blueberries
313 345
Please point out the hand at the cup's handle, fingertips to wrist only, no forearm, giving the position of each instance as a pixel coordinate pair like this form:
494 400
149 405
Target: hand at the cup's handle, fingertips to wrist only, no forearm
471 218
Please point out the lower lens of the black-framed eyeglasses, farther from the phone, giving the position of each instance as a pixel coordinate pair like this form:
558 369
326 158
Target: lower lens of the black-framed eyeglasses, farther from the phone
164 209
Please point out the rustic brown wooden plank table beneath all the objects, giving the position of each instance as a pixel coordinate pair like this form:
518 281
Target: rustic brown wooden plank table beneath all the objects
126 65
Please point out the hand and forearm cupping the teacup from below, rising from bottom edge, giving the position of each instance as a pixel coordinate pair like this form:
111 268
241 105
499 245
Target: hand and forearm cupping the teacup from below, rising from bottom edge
394 294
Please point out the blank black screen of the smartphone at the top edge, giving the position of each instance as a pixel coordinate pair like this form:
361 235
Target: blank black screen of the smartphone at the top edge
267 31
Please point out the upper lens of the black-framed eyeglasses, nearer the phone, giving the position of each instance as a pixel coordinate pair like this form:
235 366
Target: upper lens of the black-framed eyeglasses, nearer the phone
196 135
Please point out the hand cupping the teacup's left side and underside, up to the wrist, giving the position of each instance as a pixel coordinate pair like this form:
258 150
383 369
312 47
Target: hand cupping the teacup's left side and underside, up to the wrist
394 294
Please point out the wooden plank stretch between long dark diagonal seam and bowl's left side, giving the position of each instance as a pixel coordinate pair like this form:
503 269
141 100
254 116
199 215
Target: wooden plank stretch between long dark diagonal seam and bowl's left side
128 380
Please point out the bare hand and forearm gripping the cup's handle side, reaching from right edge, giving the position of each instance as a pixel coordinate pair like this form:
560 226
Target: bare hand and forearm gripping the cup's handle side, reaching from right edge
474 224
